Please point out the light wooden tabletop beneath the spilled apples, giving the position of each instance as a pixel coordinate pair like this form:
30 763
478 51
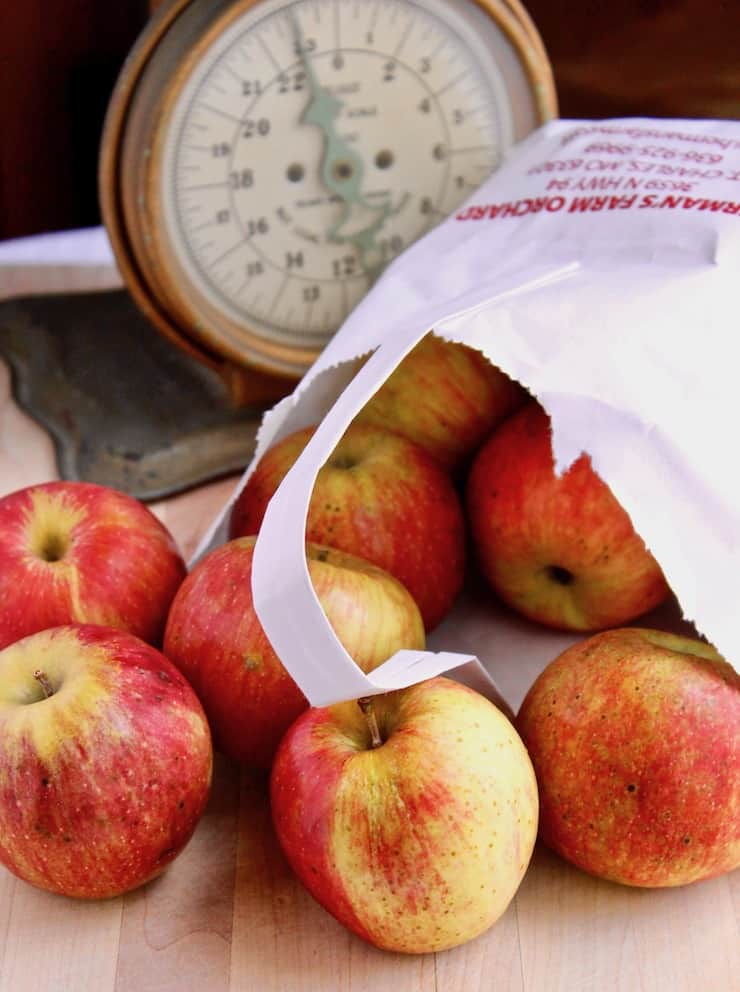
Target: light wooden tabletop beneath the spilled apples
229 915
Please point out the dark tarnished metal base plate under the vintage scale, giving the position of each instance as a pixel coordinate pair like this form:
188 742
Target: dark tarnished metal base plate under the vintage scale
124 407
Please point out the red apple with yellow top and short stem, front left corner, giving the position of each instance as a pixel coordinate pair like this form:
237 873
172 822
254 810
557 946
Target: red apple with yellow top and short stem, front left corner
105 761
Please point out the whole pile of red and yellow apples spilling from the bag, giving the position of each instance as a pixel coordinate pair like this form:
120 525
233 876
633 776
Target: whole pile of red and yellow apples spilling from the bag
410 816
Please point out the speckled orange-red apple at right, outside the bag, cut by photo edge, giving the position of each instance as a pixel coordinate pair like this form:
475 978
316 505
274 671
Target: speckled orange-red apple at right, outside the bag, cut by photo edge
634 737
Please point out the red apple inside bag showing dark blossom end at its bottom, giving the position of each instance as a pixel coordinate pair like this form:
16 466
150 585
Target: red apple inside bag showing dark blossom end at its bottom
562 551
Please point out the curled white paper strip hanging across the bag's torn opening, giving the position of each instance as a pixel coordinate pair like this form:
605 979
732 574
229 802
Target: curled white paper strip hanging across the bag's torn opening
301 635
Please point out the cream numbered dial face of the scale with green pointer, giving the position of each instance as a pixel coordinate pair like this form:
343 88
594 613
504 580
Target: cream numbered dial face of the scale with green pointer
311 141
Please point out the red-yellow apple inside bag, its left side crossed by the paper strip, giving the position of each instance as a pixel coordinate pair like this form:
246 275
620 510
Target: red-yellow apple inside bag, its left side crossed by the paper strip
381 497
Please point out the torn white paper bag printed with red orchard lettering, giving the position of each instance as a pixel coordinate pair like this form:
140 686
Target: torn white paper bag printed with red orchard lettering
597 269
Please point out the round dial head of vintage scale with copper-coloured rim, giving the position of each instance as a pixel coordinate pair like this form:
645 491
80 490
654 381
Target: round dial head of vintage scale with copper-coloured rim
263 161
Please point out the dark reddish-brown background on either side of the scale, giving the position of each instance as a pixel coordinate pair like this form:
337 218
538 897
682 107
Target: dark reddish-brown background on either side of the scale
59 60
